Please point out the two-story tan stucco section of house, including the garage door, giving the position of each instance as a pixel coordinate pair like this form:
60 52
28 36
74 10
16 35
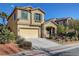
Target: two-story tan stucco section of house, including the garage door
27 22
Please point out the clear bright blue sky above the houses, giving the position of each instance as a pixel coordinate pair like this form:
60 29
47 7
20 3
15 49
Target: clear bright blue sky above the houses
52 10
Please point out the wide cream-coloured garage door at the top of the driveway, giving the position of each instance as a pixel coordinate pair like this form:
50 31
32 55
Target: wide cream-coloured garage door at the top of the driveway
29 33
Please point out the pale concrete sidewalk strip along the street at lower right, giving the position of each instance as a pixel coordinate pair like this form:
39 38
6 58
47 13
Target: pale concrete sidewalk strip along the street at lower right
63 48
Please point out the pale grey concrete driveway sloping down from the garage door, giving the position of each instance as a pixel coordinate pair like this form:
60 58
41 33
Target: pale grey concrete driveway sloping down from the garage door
42 43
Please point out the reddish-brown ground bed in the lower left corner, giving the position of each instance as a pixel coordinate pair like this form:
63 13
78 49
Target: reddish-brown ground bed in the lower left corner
9 49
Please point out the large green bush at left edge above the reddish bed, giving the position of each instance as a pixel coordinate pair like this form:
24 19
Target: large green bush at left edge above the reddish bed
6 36
